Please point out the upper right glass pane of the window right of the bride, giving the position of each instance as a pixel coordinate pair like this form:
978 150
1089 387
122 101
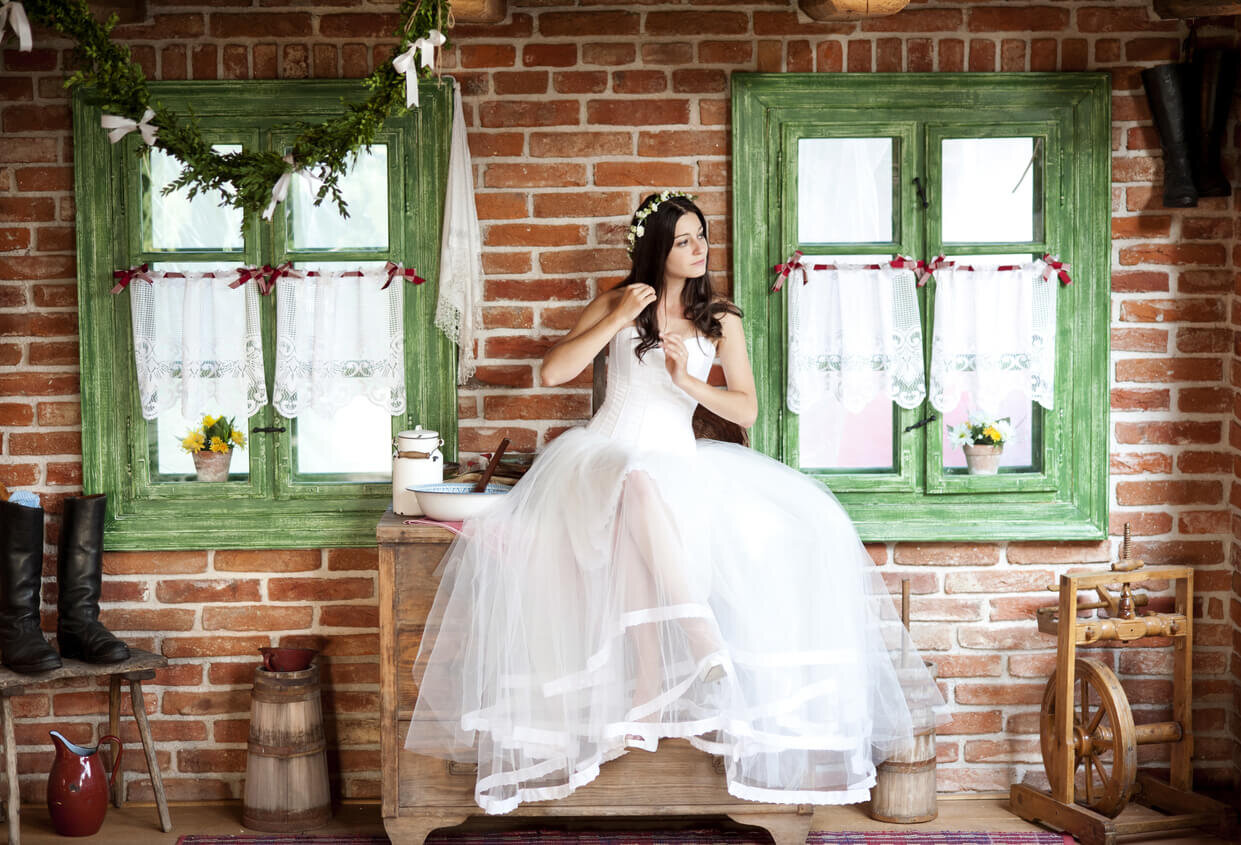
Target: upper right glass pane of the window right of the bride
990 190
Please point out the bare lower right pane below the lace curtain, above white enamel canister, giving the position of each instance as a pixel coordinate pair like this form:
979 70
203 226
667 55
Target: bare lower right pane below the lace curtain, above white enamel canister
354 440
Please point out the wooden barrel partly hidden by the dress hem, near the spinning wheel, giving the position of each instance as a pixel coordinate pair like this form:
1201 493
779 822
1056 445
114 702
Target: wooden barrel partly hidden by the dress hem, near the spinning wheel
905 789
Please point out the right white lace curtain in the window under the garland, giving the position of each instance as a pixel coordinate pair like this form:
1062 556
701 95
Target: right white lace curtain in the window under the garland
339 336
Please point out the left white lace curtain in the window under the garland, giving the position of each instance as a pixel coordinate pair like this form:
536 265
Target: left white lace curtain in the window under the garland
197 343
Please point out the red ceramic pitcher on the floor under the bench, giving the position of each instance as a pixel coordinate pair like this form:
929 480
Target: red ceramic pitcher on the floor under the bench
78 787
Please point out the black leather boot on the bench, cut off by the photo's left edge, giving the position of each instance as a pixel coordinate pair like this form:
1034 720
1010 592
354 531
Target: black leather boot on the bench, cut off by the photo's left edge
23 647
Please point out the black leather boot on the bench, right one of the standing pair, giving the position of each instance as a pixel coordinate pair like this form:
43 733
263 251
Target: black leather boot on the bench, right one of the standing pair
80 578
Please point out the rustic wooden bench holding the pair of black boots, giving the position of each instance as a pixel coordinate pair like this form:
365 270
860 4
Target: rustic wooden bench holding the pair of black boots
141 667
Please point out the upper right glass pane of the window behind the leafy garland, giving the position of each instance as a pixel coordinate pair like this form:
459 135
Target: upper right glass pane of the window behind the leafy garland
365 192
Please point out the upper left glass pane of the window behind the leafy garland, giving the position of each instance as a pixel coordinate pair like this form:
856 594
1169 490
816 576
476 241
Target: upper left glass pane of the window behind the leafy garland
174 221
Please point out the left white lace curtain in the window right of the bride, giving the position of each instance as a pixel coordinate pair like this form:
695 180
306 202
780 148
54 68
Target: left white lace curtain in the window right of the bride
854 333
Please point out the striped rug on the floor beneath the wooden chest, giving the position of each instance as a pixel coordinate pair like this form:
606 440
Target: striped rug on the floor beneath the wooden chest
656 838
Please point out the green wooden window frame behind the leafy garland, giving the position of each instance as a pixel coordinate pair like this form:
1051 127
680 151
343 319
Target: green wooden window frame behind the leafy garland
271 508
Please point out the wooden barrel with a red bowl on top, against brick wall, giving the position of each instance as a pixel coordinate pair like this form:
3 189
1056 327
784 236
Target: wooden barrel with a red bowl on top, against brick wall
287 765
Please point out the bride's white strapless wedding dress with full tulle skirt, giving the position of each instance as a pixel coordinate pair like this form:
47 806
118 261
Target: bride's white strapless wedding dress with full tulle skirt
638 584
